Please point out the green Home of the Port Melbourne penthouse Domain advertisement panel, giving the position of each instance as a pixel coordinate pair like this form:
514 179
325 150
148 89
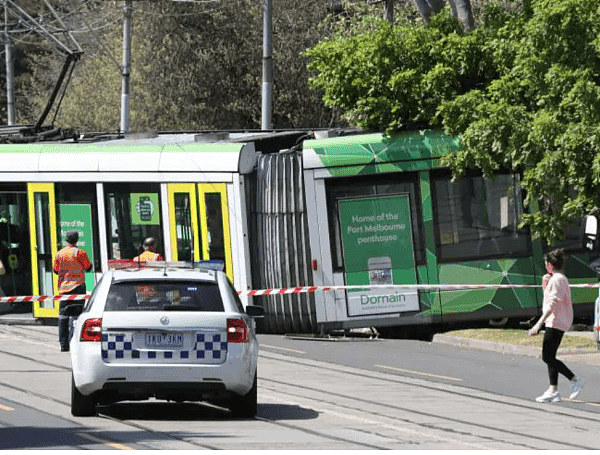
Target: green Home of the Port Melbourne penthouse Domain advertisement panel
378 249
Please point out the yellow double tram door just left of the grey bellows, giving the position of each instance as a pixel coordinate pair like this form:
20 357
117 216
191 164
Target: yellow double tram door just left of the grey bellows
199 217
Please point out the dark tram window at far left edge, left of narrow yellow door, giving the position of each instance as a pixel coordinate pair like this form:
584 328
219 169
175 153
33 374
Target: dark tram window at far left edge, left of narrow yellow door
15 251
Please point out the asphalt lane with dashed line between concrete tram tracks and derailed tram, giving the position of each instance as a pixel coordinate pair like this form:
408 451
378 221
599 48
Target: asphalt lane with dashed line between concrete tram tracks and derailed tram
509 375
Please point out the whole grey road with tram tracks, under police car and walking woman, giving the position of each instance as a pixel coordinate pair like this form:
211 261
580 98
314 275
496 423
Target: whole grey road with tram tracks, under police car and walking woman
392 394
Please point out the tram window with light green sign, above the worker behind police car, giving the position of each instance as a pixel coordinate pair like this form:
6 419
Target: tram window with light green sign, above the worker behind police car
133 214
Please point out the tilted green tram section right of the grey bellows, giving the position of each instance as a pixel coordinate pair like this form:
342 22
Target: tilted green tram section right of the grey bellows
394 216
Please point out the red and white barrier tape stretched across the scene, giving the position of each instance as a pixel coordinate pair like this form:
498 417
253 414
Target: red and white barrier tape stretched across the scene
311 289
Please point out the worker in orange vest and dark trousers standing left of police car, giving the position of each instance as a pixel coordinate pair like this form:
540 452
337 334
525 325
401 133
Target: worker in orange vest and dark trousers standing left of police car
70 265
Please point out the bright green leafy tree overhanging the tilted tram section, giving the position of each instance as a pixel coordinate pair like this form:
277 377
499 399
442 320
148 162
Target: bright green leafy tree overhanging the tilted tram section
521 91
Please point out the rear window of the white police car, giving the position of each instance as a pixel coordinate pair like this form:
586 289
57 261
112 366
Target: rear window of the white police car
164 296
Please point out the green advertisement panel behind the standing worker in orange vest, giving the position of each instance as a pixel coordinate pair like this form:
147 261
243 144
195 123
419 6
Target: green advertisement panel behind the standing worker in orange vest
78 217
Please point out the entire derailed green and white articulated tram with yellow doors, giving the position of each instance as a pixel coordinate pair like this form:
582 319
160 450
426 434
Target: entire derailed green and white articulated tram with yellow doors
283 210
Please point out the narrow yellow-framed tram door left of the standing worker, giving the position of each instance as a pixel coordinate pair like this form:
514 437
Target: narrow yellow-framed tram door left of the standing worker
44 241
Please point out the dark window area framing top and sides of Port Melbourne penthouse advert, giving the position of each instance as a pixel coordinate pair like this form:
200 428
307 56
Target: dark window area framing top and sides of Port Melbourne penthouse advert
371 186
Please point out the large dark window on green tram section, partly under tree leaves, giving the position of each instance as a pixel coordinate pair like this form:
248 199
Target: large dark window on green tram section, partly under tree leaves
477 217
